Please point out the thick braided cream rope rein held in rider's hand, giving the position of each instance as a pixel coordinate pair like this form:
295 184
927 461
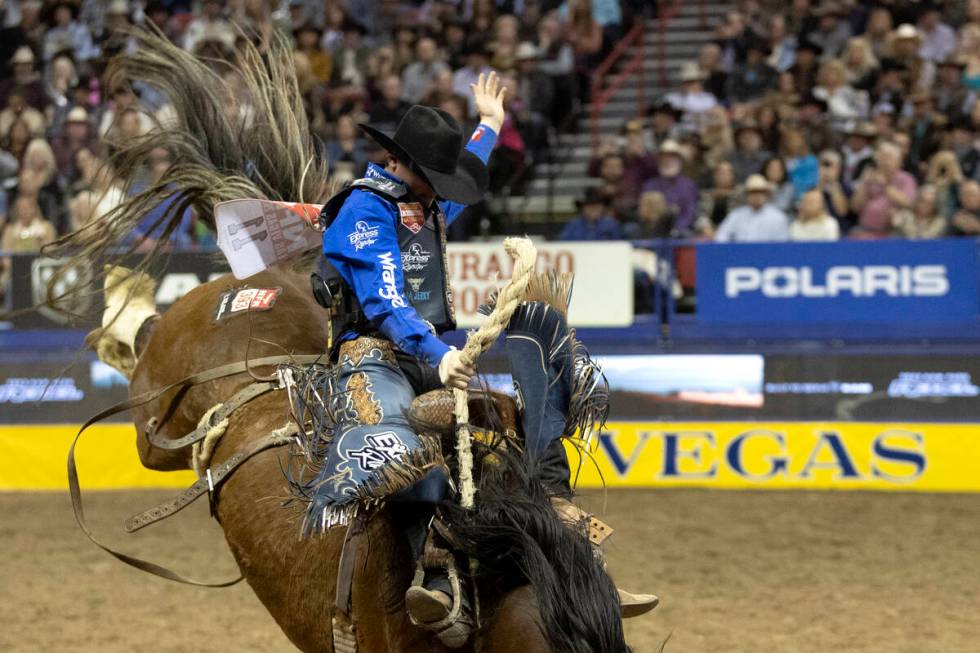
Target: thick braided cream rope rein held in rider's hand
508 299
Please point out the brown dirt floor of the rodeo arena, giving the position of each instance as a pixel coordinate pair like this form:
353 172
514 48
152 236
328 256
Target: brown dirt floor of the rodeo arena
736 571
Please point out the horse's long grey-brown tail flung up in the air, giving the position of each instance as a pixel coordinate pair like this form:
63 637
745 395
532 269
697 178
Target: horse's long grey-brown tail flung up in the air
233 130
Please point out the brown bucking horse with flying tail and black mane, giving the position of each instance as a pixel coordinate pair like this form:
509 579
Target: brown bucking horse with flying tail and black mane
231 396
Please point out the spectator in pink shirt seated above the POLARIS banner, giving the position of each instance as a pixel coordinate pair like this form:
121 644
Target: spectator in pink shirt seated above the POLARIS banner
882 190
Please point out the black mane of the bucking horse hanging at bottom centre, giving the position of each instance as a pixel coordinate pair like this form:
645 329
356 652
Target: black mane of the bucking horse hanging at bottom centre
517 538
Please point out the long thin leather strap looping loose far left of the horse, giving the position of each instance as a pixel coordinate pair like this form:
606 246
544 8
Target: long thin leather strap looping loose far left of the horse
201 377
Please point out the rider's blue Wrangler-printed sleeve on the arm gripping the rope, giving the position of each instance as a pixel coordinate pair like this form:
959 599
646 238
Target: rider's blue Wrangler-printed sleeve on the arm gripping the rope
363 243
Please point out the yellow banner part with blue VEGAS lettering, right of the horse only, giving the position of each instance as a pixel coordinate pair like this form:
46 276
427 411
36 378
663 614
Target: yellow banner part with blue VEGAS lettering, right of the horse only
805 455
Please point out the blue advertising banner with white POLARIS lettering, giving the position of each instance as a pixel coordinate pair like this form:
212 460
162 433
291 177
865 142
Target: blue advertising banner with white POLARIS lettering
894 281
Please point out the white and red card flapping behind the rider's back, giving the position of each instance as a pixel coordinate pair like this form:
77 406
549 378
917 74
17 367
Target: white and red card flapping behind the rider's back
257 234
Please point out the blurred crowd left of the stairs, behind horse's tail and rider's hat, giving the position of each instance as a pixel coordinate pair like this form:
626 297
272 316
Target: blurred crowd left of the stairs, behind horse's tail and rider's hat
356 61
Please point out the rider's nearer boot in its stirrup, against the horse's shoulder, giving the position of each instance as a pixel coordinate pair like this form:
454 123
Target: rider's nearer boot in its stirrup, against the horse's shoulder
437 599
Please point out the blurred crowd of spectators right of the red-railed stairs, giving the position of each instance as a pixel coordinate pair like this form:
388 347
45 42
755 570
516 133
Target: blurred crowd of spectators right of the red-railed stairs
806 121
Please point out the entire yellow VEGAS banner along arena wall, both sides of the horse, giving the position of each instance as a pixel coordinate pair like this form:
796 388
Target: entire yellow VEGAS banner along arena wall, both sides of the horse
805 455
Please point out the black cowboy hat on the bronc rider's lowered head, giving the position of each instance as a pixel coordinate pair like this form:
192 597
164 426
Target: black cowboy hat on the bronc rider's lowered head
431 142
